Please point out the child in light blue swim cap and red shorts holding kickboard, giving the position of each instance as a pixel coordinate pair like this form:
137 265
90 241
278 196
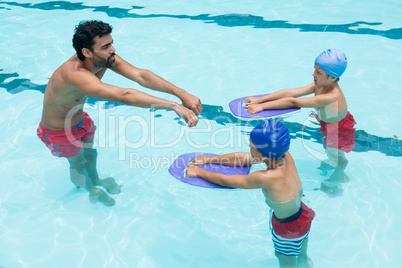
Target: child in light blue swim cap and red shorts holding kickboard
329 101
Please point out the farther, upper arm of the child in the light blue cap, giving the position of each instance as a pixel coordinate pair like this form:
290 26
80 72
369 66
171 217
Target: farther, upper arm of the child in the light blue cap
284 93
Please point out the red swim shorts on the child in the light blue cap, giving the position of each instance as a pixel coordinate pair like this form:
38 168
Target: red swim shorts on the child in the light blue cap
339 135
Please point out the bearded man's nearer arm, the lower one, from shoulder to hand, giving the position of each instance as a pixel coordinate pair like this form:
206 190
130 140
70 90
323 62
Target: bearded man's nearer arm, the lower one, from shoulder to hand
90 85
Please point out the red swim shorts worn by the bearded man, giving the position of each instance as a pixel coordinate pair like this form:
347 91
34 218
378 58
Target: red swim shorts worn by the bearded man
68 142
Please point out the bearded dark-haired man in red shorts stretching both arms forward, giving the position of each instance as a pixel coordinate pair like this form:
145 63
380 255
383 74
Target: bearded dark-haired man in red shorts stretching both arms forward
68 131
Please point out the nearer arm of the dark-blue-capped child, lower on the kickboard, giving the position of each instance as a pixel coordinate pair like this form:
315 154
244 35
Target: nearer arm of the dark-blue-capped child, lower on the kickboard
251 181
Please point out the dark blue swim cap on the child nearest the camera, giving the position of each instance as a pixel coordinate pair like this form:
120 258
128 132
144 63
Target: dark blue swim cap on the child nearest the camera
271 139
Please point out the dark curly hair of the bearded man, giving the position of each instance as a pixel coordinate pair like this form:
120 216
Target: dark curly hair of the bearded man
85 32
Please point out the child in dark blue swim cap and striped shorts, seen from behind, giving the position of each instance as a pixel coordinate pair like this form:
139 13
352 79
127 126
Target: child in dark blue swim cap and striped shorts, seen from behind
280 184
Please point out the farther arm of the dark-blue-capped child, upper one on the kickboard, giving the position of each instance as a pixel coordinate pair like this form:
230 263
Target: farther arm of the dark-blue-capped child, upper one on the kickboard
232 159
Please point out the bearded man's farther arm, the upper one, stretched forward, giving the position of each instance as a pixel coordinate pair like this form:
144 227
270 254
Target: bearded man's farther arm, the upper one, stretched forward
150 80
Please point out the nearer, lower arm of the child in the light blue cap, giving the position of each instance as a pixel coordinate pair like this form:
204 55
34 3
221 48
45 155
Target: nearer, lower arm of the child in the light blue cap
289 102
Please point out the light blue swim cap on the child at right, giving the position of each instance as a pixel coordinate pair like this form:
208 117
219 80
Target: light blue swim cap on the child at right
333 62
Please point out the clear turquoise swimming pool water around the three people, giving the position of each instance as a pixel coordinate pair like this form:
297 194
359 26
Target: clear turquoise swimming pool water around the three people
218 50
